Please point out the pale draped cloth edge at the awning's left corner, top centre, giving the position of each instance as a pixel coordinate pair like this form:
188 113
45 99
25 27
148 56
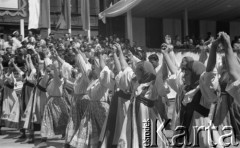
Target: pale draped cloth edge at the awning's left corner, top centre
119 8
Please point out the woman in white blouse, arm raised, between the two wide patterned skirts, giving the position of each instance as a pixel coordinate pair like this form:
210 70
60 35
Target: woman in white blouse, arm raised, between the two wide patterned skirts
79 87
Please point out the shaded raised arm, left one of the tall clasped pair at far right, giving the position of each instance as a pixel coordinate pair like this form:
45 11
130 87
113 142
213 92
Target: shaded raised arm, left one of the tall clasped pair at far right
212 56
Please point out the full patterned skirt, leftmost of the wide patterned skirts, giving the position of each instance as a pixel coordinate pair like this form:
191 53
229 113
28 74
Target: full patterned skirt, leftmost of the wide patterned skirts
55 117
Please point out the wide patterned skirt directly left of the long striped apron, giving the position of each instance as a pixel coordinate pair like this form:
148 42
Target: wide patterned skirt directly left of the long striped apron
88 132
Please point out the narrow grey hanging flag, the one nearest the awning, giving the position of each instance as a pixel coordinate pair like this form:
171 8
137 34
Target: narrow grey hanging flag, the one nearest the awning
85 14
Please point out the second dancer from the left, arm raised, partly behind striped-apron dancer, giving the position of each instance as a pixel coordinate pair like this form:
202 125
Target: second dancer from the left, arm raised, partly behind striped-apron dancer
27 93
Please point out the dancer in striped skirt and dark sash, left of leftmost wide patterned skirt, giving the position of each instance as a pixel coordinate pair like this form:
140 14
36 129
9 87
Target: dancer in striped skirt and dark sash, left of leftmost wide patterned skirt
38 99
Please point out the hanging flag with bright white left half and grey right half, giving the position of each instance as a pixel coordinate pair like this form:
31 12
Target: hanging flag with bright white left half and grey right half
39 14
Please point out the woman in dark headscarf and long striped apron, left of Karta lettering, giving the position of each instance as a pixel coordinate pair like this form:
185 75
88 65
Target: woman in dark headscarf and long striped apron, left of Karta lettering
141 111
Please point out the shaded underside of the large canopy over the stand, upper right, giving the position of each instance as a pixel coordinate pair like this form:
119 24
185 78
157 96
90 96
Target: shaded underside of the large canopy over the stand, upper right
197 9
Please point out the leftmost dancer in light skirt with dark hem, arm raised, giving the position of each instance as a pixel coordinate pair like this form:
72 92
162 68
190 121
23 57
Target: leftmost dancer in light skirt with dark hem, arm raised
11 109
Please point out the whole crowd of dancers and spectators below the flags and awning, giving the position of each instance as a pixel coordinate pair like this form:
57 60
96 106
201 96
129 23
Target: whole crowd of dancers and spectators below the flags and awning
101 94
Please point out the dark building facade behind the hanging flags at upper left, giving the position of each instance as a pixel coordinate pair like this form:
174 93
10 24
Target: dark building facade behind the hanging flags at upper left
10 17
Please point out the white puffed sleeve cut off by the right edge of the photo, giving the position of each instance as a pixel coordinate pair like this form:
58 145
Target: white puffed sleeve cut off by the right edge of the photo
234 90
